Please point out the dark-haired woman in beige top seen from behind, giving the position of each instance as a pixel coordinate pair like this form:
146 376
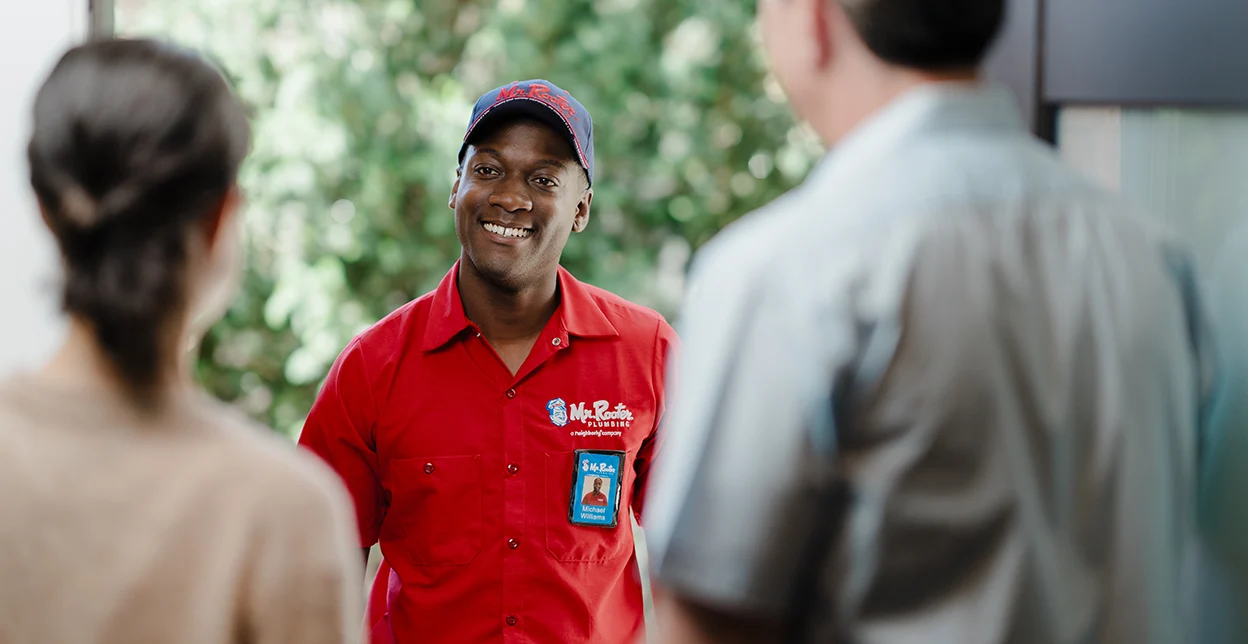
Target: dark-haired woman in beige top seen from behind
133 509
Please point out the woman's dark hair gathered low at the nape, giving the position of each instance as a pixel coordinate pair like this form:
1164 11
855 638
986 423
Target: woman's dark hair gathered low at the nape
134 143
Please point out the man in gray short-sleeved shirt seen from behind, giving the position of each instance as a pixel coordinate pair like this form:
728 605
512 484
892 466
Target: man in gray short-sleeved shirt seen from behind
947 391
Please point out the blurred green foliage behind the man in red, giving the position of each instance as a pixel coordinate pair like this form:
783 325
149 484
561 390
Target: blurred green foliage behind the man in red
360 108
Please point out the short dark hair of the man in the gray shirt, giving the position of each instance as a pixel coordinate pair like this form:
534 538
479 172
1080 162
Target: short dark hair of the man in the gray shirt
930 36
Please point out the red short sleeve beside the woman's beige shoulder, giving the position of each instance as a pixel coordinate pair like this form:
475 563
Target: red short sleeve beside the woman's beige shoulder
340 430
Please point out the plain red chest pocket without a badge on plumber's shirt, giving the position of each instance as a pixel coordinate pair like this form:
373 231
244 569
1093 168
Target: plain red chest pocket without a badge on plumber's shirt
439 501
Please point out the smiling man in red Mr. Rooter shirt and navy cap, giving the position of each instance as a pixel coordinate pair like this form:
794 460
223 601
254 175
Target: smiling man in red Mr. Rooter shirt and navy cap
469 422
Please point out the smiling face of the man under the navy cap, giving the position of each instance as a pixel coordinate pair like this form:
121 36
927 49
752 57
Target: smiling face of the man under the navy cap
519 198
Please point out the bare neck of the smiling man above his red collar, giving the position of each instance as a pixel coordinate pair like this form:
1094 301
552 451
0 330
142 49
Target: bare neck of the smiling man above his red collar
507 315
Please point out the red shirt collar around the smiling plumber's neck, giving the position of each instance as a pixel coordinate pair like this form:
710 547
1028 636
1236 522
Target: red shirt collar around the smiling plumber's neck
580 313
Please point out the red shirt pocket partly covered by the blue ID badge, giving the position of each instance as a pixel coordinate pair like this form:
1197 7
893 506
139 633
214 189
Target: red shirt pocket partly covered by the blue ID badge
583 544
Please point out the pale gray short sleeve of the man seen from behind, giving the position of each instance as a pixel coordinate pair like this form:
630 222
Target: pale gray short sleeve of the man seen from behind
734 506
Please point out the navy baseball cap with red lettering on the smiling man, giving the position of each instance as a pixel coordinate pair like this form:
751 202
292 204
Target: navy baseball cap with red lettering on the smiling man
545 102
